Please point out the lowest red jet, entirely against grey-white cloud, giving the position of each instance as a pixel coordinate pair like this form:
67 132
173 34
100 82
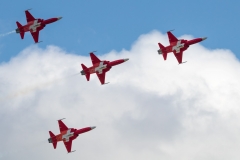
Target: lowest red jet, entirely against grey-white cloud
67 135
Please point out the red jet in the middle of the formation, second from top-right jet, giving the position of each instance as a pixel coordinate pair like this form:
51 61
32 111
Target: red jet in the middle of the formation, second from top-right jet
100 67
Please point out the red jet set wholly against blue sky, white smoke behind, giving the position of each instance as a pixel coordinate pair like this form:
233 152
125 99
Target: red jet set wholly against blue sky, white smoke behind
34 25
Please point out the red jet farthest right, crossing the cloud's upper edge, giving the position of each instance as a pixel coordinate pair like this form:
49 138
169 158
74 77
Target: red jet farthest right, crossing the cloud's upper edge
177 46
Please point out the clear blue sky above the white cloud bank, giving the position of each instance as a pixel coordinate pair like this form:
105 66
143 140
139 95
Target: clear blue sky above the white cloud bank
106 25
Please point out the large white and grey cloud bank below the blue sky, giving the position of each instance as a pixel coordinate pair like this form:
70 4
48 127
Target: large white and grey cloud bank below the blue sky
152 109
